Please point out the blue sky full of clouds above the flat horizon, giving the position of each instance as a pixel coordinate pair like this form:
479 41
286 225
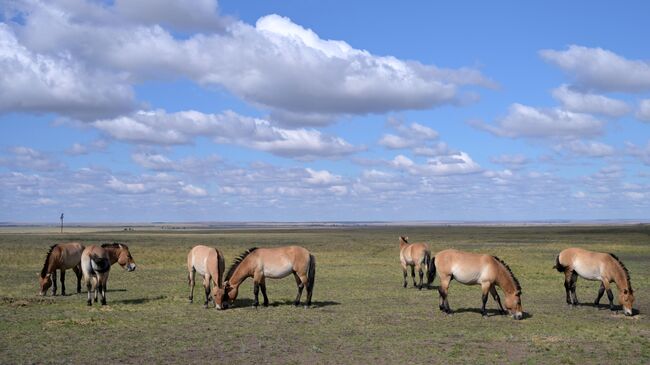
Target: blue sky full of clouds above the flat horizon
176 111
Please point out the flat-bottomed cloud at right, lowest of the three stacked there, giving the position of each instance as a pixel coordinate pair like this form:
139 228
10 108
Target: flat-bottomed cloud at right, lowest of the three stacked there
529 122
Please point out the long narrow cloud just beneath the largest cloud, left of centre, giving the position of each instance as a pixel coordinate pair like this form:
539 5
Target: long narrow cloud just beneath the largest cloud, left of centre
162 128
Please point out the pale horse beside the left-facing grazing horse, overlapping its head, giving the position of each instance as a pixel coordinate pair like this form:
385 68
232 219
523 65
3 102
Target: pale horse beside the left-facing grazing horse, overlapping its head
209 263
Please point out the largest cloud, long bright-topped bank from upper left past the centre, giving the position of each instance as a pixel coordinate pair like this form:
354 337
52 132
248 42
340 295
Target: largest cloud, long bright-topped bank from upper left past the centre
277 64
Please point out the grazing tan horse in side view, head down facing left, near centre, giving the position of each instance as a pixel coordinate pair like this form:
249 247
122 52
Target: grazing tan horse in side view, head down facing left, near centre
274 263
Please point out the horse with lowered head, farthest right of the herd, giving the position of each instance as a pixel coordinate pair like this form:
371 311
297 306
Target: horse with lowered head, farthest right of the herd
595 266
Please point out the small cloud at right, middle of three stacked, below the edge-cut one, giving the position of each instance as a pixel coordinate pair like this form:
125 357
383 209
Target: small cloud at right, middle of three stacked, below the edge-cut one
589 103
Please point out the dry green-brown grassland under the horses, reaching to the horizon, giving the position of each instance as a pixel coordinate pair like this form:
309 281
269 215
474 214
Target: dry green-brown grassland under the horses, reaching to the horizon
361 314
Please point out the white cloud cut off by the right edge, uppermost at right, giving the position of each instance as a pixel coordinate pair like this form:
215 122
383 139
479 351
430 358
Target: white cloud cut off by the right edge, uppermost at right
601 69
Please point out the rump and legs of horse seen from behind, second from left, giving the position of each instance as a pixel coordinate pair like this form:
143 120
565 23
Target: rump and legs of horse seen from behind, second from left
95 265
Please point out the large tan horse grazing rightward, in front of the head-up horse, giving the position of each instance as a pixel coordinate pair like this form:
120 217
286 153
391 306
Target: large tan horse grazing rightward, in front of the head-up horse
477 269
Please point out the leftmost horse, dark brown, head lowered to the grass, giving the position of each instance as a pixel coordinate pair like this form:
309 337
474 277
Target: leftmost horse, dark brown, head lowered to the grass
60 257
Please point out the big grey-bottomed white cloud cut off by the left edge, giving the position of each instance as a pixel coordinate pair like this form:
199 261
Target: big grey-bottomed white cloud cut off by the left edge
42 83
